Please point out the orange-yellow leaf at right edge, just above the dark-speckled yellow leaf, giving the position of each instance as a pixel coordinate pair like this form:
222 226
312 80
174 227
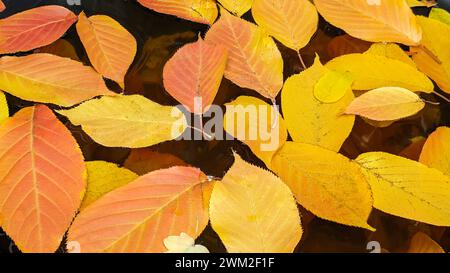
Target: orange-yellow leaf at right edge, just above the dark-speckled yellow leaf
436 151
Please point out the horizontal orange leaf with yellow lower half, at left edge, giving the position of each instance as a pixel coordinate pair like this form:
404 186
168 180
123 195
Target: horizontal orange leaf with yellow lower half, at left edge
50 79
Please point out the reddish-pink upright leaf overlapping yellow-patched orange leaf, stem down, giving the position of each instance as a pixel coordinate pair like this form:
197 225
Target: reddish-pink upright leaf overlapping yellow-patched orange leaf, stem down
193 74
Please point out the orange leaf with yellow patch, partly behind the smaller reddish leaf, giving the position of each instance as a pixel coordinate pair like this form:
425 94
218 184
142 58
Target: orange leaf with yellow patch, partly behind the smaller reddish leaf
254 60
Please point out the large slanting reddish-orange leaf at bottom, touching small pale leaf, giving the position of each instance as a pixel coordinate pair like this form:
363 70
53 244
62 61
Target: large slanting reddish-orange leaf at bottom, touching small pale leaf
140 215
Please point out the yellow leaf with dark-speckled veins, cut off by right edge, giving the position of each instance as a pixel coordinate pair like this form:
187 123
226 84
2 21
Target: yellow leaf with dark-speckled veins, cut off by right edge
406 188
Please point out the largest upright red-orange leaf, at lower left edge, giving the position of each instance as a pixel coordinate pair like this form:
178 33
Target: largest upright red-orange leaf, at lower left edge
42 179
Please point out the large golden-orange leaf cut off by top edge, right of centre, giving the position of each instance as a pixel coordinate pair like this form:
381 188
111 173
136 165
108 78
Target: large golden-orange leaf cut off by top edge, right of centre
374 21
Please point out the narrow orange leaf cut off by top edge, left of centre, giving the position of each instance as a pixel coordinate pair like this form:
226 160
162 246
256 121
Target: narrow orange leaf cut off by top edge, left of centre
201 11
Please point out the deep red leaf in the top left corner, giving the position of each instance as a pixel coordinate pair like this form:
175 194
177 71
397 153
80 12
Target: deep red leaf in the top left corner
34 28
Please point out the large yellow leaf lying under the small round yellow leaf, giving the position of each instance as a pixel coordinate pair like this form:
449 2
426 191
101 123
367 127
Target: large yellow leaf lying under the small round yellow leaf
308 119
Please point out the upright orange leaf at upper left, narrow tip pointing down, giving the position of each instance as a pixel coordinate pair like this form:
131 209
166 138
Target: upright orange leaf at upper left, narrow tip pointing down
110 47
